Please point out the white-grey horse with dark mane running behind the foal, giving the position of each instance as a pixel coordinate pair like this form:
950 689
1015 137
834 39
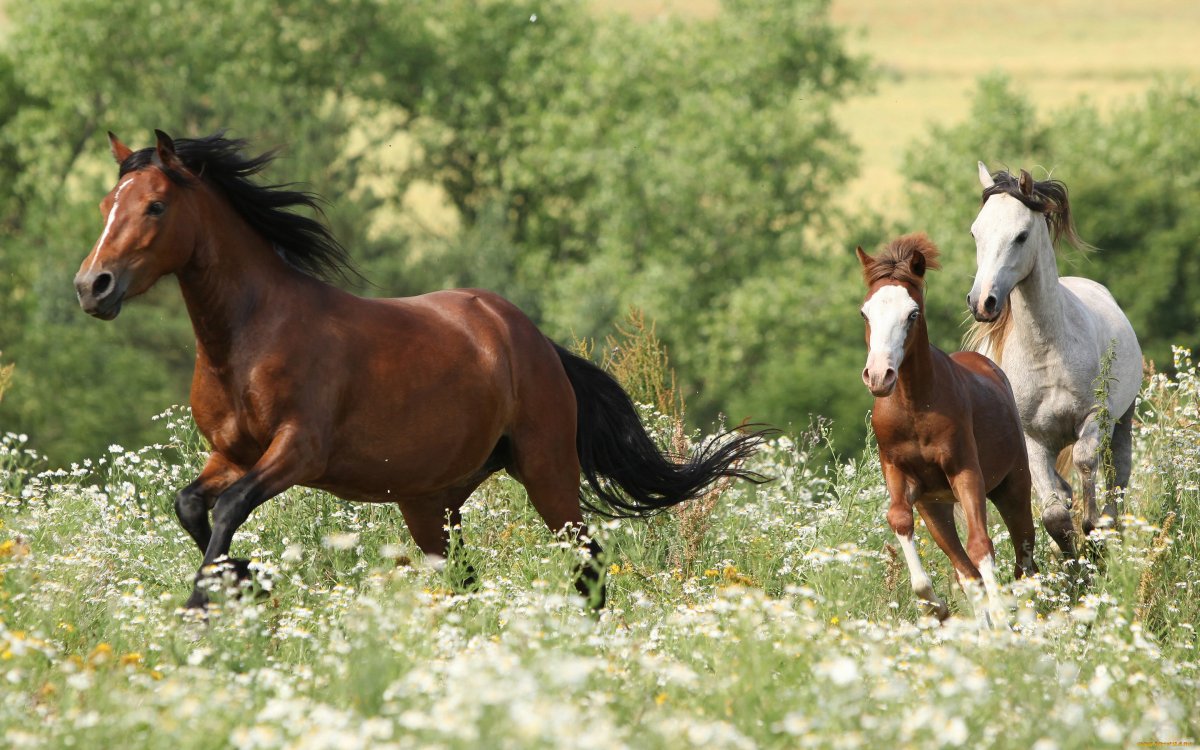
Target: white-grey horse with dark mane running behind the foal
1051 335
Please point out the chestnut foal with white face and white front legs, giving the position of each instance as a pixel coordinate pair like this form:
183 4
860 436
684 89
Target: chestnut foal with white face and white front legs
947 427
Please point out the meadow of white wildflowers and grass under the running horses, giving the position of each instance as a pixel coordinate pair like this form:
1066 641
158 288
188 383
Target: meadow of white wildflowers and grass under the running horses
758 616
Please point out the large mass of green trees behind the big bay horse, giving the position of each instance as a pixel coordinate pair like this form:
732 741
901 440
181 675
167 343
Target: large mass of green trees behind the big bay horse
577 164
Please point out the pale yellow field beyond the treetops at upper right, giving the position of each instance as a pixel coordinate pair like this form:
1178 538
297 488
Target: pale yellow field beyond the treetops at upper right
932 52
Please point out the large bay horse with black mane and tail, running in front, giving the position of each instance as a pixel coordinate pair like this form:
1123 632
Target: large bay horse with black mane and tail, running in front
410 401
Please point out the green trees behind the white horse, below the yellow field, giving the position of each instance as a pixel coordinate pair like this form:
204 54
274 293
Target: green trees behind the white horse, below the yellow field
1133 176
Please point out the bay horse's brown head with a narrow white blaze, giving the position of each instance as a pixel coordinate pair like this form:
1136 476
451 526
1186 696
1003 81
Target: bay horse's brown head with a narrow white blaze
146 233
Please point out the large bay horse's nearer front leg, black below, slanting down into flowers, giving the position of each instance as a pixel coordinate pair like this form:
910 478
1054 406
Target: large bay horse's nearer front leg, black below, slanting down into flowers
293 458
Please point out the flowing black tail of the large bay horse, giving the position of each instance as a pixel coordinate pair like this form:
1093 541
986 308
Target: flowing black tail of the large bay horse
614 445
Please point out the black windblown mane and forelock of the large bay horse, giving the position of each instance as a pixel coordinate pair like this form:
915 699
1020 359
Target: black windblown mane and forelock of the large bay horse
307 244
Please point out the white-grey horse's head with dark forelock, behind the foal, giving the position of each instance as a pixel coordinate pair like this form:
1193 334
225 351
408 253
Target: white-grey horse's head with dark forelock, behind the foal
1019 220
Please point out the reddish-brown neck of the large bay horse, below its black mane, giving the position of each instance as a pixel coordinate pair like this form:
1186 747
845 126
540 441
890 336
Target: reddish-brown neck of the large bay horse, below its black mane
233 283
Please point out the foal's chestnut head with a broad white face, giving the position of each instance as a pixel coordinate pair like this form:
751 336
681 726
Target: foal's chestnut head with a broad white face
896 301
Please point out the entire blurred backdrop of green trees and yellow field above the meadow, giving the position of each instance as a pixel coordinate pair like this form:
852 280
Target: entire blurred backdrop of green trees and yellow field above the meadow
712 165
